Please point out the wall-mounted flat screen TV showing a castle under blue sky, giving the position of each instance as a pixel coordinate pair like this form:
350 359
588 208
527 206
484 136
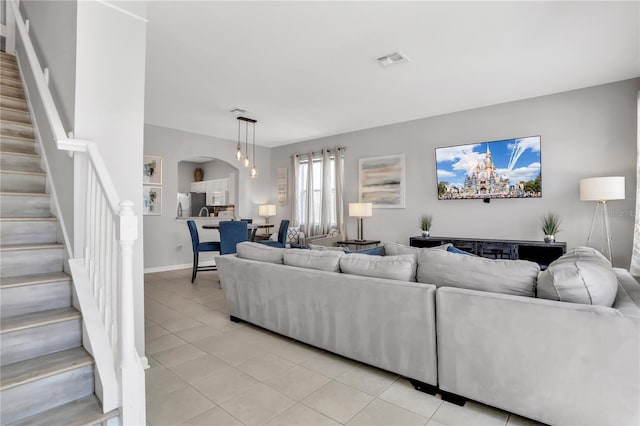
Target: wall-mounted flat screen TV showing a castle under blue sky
508 168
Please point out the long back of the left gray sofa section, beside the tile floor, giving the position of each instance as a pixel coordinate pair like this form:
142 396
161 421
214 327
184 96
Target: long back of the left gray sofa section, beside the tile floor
385 323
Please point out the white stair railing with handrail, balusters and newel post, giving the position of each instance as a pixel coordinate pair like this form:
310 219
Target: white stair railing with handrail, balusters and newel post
101 258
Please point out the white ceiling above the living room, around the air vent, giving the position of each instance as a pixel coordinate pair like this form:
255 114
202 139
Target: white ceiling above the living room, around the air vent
306 70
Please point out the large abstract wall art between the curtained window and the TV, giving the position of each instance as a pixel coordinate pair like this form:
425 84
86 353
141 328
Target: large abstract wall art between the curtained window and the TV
382 181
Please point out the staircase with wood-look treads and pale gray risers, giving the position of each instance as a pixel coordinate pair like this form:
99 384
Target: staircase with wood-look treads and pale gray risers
46 376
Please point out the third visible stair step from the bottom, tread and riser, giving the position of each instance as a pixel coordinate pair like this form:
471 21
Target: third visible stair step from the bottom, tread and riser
27 336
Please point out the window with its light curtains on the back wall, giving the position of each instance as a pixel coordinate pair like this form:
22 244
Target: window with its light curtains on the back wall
318 191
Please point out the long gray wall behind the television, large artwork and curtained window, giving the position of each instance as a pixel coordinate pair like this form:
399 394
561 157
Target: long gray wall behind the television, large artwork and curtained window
585 133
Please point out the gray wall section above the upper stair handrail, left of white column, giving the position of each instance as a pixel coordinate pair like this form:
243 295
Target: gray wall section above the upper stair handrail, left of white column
53 32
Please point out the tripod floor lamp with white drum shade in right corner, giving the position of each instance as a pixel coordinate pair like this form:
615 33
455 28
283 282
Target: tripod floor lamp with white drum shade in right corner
601 190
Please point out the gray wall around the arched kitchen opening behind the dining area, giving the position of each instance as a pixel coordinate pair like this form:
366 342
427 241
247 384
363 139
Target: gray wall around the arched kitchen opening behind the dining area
167 244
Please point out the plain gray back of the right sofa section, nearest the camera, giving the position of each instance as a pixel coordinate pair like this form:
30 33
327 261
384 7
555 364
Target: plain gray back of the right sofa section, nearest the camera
555 362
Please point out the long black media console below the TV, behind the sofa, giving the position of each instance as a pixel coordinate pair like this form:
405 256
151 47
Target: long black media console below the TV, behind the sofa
536 251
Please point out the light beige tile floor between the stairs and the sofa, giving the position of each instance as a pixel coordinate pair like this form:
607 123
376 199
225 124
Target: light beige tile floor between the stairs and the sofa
207 370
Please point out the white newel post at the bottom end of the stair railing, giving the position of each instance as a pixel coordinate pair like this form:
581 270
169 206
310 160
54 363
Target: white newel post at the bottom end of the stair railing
132 379
